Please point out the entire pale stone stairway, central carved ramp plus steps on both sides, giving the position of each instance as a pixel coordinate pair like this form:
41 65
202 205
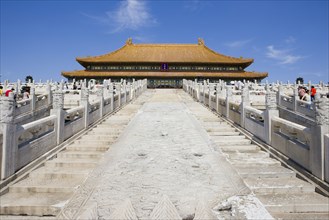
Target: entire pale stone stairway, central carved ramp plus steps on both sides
166 156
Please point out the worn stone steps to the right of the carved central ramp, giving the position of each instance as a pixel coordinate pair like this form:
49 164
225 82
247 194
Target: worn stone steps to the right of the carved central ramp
283 194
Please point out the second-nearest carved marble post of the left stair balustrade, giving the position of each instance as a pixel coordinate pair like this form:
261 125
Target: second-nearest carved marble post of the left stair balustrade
58 104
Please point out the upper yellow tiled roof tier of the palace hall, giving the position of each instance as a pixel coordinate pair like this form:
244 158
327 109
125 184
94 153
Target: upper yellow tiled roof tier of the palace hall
161 53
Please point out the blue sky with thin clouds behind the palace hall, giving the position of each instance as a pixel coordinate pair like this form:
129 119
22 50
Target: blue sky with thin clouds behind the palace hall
287 39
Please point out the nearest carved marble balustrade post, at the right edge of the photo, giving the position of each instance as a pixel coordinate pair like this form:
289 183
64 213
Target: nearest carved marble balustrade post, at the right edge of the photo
318 130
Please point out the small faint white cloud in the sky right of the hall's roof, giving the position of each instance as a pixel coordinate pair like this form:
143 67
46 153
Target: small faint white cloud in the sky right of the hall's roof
283 56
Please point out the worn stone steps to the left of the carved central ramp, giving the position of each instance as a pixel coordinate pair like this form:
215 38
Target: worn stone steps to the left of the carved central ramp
46 190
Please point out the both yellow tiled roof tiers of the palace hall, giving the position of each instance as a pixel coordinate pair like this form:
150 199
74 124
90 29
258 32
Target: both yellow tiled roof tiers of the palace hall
158 54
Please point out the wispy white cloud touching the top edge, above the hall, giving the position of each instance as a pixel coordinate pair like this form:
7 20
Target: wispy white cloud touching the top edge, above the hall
131 14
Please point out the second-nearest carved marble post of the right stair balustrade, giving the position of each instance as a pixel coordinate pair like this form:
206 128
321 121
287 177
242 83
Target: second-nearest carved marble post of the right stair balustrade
270 112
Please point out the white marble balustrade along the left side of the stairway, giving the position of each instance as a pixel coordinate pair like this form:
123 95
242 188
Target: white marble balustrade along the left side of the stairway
23 143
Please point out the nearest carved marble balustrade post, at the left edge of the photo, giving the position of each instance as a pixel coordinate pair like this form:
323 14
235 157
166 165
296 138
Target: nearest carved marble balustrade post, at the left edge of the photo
8 127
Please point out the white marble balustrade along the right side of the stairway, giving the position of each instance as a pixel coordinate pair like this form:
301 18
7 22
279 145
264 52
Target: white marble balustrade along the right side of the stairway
296 128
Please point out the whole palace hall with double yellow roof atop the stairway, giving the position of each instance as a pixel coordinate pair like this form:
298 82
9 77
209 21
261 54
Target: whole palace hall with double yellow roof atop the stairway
164 65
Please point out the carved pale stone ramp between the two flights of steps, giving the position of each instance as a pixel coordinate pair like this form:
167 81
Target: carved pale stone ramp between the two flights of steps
164 151
